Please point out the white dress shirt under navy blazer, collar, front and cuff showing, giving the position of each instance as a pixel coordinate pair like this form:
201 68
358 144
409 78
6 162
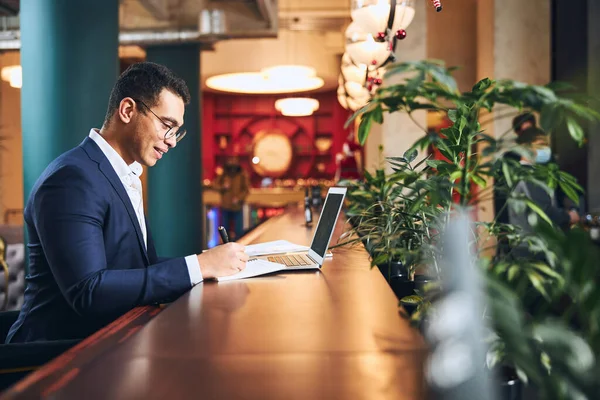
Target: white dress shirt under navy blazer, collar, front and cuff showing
130 178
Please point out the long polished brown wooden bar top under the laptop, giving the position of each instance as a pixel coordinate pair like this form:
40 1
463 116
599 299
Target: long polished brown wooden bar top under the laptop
329 334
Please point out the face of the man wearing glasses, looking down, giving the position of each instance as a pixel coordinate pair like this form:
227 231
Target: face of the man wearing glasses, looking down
148 143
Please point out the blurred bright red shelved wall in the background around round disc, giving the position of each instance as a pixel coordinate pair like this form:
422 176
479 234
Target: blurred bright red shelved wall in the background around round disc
238 118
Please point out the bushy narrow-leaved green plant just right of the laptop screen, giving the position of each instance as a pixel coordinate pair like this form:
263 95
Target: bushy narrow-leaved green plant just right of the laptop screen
391 212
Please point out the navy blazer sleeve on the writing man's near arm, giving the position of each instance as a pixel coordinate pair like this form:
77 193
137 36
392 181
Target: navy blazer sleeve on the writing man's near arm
69 214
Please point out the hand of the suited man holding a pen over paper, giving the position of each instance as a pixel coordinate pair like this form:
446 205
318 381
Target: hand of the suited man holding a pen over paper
223 260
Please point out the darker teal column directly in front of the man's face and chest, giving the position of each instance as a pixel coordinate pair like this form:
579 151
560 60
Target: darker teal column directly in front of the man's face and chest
174 184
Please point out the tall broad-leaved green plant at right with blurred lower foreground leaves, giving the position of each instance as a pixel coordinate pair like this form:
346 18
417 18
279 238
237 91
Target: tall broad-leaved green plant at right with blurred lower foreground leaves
472 159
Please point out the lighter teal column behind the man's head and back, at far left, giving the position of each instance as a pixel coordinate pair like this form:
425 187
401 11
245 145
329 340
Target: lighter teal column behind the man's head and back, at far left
70 61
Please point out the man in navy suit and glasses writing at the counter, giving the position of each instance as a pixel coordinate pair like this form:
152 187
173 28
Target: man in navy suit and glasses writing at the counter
92 257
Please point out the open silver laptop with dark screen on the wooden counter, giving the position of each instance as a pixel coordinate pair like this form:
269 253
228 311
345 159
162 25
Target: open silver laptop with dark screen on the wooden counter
313 258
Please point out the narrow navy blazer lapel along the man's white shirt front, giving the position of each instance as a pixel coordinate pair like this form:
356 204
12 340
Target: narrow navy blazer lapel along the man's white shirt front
92 149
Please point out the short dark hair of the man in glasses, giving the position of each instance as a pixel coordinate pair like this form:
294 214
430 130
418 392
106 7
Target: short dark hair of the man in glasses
145 81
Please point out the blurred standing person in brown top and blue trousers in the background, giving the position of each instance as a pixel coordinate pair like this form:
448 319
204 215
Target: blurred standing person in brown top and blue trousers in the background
234 186
